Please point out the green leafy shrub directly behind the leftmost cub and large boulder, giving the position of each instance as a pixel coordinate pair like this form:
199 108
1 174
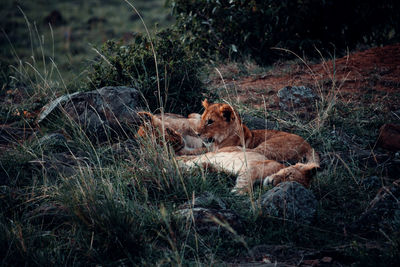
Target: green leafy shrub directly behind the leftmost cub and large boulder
181 90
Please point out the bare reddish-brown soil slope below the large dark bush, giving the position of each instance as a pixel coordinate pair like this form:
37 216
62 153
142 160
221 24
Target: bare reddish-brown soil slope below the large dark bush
374 72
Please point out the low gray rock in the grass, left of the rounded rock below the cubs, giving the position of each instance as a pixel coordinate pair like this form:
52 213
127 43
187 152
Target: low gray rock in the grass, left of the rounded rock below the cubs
209 213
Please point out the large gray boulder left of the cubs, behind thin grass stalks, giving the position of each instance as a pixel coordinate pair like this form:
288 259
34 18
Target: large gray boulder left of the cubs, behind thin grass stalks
102 113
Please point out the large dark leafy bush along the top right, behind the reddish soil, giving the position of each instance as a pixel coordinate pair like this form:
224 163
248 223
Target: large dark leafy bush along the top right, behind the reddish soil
251 27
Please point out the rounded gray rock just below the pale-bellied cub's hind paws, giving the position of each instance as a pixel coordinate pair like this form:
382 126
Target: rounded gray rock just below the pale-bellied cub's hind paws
291 201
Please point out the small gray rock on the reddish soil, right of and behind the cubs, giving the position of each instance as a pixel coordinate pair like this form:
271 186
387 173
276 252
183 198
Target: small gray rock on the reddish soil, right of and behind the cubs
291 97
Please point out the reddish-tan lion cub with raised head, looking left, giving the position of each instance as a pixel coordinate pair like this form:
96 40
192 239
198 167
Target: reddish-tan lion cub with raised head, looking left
221 125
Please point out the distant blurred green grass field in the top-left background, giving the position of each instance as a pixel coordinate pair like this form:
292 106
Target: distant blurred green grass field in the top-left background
71 54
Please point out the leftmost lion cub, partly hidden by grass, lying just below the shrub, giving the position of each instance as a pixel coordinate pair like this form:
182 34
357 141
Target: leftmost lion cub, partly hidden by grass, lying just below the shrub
178 131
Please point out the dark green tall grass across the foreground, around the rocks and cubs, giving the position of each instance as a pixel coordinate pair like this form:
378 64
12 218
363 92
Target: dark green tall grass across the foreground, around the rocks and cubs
117 204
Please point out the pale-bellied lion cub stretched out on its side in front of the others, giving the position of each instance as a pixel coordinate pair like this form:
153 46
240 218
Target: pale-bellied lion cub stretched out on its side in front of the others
251 167
